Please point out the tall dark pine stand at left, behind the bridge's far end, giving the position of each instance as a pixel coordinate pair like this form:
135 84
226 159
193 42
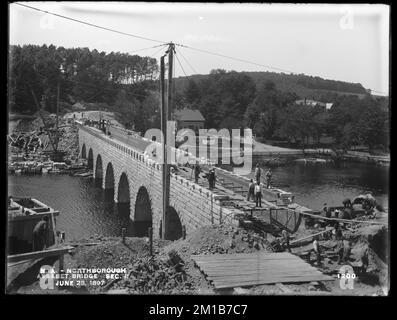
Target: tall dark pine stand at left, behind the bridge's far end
82 75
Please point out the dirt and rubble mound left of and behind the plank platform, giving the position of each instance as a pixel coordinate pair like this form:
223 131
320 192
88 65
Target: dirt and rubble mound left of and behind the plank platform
170 270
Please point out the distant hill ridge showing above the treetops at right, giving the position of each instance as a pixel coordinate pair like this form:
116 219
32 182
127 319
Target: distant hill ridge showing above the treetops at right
315 88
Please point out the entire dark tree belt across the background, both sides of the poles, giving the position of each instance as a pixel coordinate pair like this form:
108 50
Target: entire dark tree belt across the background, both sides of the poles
128 84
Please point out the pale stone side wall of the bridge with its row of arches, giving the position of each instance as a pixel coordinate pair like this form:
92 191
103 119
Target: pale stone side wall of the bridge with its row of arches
135 181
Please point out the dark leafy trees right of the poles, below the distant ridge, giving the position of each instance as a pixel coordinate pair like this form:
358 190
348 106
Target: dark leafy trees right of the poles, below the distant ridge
233 100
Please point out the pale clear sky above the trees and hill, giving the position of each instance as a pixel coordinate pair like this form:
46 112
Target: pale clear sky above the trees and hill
339 42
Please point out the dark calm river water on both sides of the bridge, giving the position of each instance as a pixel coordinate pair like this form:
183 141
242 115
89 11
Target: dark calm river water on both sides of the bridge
86 210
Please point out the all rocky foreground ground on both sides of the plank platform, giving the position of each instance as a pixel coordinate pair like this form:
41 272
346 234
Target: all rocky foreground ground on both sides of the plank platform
171 269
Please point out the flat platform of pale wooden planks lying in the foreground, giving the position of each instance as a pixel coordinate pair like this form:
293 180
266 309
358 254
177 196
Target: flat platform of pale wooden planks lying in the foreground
249 269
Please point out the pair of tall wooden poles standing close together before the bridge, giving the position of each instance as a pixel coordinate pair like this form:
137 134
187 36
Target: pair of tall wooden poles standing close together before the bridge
166 108
